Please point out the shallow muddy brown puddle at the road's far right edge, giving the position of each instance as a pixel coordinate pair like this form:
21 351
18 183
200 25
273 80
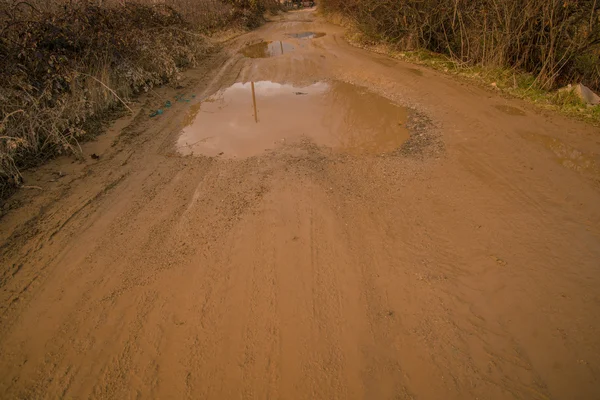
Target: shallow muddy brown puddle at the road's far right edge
567 156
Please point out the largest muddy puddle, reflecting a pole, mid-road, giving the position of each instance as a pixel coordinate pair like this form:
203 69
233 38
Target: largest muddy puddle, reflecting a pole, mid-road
247 119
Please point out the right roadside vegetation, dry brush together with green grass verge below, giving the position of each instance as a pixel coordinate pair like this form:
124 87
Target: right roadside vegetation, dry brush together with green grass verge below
528 48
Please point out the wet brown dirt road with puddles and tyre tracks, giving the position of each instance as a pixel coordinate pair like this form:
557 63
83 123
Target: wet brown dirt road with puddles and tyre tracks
391 232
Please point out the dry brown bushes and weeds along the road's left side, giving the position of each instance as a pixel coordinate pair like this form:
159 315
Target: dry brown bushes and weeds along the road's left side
65 64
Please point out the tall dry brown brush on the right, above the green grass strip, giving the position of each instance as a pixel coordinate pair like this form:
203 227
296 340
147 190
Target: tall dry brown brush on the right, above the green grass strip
556 40
